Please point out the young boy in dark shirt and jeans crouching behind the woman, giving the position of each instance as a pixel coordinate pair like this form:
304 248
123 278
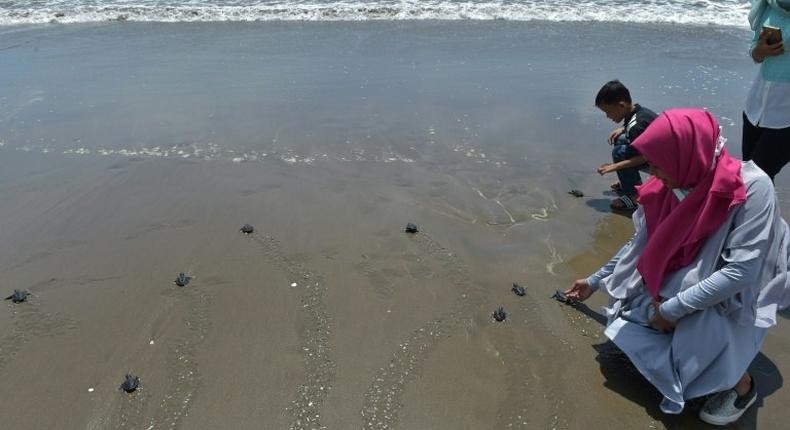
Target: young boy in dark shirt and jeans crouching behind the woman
614 100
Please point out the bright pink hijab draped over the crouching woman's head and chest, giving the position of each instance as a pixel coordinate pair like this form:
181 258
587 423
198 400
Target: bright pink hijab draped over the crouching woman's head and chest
683 143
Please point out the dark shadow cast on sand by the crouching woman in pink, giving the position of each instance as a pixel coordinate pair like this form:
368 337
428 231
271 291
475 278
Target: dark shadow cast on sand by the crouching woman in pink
623 378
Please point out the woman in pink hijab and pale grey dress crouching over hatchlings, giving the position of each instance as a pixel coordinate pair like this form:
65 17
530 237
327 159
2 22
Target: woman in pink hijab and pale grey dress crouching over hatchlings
693 293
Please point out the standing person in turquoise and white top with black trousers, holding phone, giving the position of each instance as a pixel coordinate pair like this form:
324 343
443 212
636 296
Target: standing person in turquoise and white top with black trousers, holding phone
766 116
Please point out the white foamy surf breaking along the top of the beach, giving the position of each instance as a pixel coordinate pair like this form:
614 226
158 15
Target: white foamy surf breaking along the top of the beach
730 13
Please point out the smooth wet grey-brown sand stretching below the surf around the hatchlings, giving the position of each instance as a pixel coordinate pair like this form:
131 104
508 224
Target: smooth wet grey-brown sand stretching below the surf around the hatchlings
131 153
